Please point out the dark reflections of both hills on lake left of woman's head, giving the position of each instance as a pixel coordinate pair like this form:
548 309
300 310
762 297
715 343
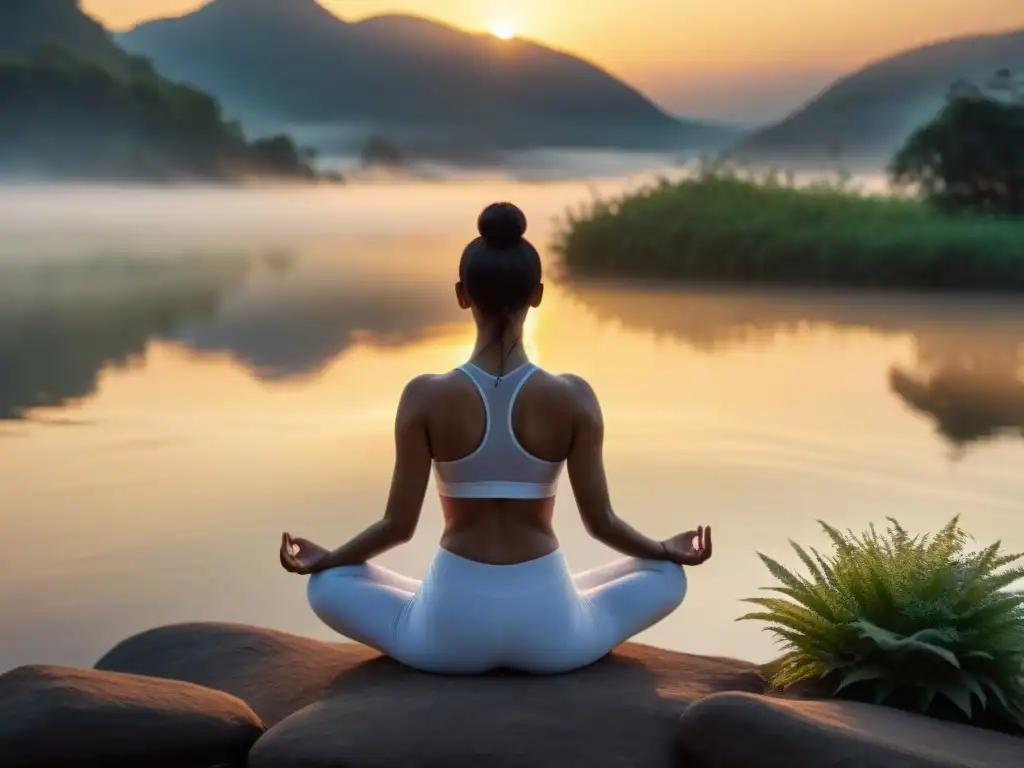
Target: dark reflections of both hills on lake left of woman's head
63 323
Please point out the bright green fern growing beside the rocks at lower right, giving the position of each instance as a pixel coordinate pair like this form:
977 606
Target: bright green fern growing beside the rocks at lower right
909 620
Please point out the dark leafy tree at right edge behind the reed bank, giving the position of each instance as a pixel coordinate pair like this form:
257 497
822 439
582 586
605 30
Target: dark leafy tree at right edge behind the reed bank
971 155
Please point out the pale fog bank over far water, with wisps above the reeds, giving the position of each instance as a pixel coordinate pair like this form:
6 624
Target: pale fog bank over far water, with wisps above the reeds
47 220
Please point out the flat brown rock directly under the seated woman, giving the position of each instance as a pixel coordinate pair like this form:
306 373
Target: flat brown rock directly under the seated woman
621 712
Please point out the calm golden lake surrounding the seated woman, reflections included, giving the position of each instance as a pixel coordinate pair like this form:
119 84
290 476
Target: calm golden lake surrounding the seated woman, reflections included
186 374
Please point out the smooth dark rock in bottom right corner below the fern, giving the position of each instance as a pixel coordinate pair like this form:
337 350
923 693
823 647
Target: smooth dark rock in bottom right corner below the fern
784 734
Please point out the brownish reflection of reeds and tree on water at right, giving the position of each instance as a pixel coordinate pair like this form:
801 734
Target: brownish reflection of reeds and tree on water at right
966 377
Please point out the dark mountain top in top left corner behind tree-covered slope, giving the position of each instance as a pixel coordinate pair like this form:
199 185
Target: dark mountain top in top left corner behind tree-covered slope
27 26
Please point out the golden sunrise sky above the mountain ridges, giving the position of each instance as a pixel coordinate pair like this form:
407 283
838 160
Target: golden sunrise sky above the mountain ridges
743 60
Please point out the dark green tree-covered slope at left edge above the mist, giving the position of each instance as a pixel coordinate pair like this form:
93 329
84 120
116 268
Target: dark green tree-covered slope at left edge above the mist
66 116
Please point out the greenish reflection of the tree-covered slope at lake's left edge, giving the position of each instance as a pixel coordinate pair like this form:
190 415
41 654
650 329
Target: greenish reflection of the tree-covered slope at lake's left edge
62 323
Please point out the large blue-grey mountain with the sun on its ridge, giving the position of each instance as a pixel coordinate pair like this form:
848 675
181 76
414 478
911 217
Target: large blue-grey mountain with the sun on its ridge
292 62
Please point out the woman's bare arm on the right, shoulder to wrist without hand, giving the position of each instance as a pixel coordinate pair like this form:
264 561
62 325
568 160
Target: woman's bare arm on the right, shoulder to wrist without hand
590 485
